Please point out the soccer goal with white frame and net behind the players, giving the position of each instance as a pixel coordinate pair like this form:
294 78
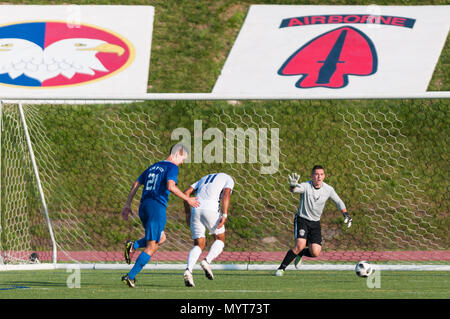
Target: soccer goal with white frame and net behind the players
67 167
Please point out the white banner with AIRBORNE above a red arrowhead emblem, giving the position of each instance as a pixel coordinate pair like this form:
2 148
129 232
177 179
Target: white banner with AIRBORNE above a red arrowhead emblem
316 51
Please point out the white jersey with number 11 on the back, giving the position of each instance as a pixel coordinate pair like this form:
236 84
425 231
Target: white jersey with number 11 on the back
209 190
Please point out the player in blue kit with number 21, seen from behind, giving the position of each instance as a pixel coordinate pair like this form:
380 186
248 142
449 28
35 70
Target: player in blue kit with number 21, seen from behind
159 181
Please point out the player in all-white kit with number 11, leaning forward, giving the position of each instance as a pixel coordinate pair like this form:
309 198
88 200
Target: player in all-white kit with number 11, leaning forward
210 191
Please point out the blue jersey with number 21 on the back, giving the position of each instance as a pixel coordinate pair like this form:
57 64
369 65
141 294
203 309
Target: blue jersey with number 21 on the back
155 180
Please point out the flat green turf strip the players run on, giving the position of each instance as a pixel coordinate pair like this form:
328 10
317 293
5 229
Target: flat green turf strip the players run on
169 284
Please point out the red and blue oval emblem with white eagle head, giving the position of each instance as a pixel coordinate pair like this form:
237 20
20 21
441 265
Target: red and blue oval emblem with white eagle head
53 54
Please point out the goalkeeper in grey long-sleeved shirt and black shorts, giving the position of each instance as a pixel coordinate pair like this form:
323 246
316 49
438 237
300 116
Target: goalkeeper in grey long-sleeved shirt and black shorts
307 231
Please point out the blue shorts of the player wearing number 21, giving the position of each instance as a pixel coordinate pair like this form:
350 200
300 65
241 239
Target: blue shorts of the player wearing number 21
153 218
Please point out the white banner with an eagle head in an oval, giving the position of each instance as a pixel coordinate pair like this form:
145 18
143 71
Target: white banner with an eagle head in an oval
70 49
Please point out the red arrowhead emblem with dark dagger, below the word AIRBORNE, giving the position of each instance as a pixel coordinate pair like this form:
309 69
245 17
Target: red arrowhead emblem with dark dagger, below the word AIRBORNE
327 60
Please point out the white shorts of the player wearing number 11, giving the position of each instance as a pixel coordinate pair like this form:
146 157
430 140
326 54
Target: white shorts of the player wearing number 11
202 219
